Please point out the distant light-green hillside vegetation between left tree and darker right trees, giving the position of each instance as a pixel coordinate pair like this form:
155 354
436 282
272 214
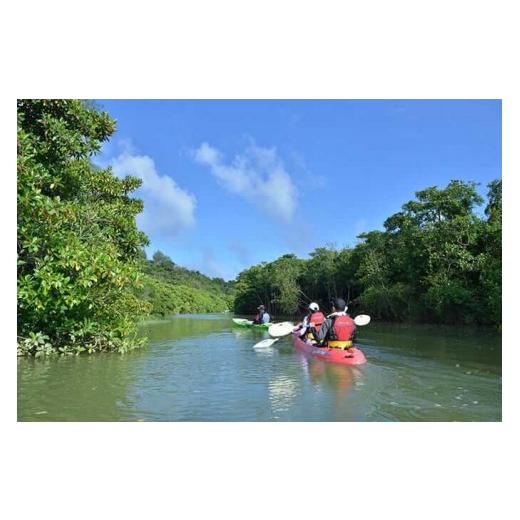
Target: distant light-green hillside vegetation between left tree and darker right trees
172 289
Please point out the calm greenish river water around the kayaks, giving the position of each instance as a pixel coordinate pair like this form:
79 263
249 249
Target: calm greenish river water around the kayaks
201 368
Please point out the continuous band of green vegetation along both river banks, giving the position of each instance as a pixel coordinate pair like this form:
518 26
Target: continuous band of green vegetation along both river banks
84 281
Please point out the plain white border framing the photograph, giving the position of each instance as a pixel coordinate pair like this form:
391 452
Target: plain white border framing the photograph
232 49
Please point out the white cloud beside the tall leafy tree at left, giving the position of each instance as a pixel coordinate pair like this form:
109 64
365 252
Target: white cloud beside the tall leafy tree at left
168 209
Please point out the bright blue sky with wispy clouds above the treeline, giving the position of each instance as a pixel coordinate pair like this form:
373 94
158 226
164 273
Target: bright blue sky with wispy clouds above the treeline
228 184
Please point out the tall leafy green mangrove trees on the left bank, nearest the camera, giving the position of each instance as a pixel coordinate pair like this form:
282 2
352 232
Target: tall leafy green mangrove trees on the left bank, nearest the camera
78 244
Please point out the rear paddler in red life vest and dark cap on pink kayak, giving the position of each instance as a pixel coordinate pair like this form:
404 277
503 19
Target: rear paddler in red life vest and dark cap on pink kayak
337 331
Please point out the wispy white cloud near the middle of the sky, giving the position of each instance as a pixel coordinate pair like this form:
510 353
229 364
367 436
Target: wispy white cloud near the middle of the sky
258 176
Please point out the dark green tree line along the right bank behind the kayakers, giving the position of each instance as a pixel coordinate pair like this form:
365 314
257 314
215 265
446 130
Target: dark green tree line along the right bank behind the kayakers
435 261
